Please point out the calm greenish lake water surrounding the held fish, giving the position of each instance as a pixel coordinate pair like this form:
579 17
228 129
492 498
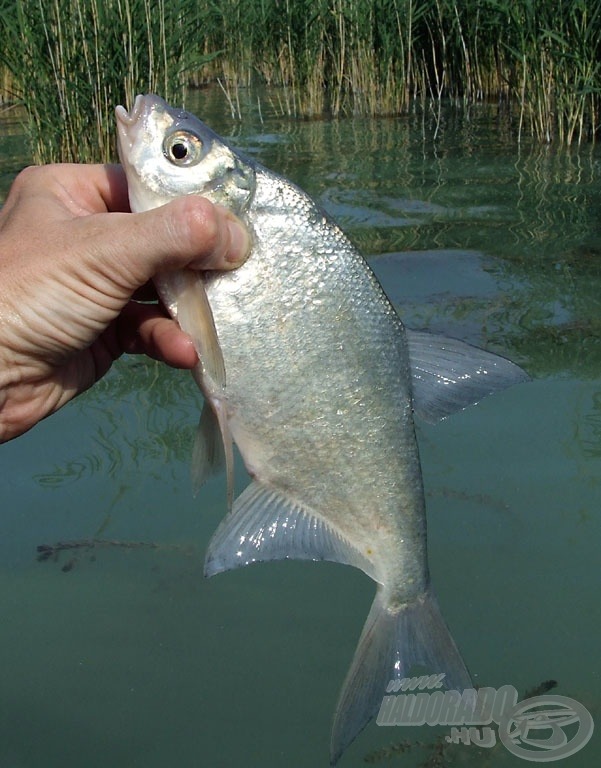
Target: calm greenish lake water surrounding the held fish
125 656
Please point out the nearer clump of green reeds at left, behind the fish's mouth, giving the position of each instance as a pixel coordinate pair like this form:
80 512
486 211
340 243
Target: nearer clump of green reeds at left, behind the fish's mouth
71 61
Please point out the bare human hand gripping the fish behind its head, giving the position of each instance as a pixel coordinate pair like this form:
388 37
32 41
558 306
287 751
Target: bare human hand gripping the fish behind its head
71 259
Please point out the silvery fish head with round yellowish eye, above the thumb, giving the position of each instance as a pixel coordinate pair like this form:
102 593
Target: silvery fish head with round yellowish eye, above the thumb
168 152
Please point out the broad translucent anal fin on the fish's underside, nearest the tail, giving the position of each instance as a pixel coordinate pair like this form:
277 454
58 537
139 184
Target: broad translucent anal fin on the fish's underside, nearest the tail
267 525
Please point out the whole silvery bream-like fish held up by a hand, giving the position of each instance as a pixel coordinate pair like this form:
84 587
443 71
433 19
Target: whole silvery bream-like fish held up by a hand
307 367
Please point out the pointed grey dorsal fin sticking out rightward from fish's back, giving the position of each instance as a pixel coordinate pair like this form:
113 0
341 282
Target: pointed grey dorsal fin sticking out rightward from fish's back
448 375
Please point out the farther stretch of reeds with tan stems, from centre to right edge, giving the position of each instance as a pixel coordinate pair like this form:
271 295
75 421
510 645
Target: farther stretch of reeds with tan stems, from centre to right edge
540 59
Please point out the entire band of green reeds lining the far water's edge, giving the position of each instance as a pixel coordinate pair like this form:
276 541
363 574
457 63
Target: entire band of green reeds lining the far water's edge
69 62
